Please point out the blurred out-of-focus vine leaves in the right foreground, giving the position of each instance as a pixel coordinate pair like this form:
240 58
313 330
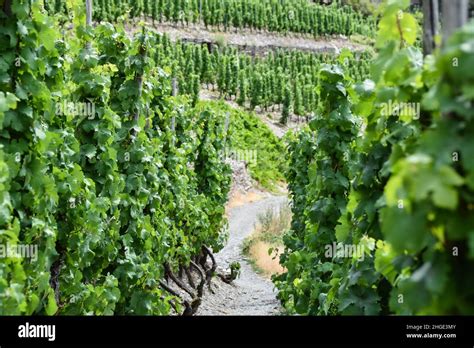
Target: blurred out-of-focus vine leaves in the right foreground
434 180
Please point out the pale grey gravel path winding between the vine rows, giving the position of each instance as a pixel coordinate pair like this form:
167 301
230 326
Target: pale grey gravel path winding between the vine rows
250 294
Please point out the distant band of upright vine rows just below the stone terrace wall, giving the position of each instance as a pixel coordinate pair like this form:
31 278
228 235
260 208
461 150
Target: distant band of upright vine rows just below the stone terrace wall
282 78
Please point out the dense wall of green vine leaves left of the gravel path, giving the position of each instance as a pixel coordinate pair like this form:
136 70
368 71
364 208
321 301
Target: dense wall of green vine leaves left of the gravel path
110 196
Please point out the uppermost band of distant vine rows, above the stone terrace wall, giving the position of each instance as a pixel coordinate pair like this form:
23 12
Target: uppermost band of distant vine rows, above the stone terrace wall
299 16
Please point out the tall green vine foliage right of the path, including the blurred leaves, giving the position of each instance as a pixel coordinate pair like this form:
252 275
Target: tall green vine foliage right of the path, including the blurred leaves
397 184
